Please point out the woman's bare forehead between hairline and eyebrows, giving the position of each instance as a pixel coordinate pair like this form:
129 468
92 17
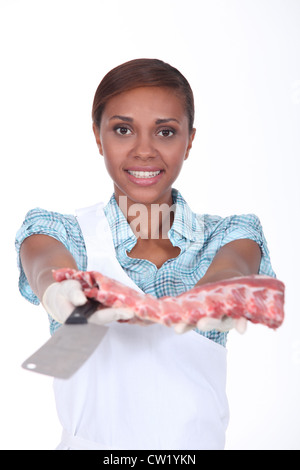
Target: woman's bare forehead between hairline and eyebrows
159 101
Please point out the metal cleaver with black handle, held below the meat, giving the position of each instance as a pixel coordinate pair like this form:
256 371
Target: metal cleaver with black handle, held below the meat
70 346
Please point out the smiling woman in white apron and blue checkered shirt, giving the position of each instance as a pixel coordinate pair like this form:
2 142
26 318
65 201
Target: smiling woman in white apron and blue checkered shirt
143 388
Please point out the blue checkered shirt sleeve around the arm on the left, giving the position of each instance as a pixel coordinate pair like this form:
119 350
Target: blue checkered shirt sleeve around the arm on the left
63 228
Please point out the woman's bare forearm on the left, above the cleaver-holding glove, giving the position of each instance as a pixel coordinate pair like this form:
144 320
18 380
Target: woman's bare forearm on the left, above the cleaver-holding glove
40 254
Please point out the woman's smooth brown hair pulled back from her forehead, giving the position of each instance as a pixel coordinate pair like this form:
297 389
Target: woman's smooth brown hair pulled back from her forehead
139 73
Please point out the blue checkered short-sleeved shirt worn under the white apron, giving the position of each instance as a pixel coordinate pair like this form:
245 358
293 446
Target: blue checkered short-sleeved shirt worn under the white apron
199 237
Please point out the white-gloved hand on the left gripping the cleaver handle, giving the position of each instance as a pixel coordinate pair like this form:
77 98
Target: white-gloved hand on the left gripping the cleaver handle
60 299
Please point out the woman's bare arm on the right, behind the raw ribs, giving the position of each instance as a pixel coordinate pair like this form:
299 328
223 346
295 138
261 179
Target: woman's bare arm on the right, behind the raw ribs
237 258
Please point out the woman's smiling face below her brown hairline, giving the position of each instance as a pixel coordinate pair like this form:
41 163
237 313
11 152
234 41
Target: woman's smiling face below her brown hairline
144 138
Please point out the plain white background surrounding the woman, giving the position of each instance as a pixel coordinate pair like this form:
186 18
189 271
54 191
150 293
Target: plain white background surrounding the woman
242 59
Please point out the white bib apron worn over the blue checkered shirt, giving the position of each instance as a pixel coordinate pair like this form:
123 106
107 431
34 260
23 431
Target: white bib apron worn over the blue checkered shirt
143 387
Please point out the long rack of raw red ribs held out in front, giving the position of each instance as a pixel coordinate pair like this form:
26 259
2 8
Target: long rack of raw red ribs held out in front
258 298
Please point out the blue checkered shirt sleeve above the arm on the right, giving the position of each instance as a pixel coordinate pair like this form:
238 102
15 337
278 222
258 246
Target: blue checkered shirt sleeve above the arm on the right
248 226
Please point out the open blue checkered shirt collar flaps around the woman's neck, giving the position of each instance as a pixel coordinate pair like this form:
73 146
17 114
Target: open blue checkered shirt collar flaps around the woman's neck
186 224
